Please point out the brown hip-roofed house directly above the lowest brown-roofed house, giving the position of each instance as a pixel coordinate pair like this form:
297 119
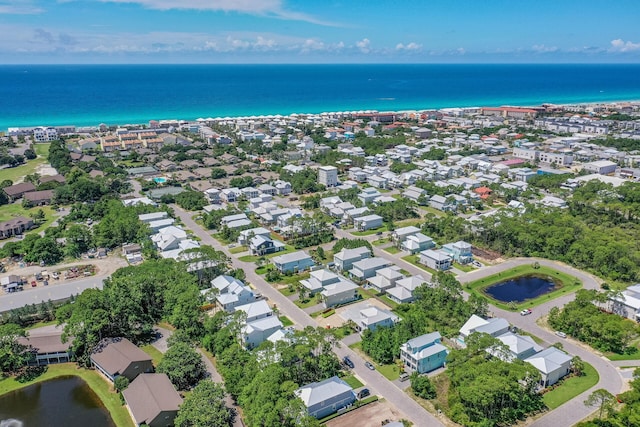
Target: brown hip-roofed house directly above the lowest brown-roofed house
115 357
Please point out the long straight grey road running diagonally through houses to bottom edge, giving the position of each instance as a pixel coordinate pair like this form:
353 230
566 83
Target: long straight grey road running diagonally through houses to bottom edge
374 380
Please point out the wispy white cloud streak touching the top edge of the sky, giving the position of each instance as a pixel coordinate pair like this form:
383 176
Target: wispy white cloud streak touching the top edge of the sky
269 8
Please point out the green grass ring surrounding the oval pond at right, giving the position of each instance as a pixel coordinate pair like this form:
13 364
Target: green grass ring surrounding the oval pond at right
567 282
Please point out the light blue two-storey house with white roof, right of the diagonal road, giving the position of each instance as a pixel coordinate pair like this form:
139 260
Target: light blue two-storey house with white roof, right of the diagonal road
423 354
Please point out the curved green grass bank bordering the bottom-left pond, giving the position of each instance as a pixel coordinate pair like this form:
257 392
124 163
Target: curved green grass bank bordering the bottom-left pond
98 384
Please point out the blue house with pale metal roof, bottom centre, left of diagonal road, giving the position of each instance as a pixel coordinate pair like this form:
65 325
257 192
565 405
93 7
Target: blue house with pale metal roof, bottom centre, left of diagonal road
326 397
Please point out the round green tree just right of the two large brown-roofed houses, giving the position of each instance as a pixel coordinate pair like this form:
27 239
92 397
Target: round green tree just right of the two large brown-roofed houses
183 365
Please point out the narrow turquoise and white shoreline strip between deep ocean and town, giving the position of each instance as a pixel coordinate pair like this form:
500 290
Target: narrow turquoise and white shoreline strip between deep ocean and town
190 117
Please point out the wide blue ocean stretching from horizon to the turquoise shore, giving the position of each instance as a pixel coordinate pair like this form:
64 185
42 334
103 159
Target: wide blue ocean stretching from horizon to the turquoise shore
87 95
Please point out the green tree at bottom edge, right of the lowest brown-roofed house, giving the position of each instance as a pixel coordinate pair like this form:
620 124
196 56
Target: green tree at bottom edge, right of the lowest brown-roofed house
204 407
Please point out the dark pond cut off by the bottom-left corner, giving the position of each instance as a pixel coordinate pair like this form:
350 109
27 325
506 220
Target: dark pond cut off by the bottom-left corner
64 401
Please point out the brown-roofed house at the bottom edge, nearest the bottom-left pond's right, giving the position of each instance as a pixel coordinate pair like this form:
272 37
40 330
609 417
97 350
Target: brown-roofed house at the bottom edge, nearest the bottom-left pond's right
152 400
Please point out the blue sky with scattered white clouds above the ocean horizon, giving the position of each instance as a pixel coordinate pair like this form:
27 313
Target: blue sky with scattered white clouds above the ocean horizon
319 31
